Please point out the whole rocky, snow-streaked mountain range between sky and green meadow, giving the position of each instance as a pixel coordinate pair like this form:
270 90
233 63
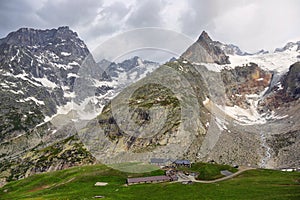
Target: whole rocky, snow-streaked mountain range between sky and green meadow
60 107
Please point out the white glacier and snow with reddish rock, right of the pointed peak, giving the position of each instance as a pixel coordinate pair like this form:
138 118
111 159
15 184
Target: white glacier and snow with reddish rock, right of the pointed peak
271 67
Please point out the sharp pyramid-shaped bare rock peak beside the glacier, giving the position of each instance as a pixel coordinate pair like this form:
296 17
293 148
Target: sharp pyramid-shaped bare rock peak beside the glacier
205 50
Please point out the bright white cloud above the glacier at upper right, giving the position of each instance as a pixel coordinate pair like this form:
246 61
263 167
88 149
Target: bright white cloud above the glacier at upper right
260 24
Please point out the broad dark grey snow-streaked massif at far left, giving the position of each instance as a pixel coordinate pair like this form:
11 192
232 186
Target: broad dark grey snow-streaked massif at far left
38 69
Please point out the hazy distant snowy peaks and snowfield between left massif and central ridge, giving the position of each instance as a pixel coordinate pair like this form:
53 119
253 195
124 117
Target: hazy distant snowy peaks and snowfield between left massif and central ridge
91 94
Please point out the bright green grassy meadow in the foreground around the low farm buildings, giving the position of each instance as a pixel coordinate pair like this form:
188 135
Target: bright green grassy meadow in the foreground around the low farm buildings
78 183
